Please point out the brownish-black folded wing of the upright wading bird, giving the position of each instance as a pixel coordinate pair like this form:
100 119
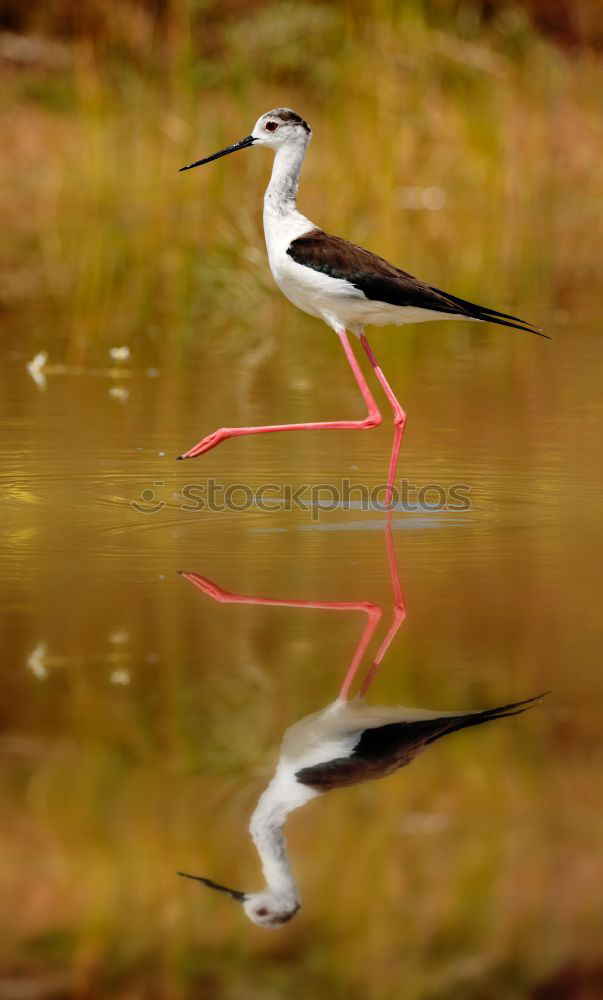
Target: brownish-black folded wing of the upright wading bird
381 281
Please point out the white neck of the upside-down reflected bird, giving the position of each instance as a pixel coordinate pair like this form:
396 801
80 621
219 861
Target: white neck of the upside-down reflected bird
267 830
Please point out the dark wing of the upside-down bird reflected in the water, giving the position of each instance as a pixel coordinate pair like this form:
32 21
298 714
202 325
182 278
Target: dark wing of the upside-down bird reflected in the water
384 749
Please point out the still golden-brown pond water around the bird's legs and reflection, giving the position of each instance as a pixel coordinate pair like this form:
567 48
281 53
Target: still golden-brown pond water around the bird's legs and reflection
142 717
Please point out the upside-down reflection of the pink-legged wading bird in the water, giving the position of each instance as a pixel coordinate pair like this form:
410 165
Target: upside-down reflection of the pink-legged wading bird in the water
346 743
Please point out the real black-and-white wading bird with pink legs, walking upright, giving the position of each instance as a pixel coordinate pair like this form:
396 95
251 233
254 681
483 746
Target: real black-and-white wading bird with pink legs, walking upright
343 284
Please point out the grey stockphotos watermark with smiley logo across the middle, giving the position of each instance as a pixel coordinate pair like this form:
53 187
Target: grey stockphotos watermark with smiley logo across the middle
212 496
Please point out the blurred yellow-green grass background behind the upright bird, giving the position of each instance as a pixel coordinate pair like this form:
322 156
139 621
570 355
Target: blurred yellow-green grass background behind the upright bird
492 109
